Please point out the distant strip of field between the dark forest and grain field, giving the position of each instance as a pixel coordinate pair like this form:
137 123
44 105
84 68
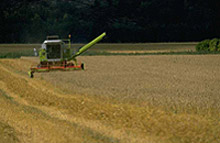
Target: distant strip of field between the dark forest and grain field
18 50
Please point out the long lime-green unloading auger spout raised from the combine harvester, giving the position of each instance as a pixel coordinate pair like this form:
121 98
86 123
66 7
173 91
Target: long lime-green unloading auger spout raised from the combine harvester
89 45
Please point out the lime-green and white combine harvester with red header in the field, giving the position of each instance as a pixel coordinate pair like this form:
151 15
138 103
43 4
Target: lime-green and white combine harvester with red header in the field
55 54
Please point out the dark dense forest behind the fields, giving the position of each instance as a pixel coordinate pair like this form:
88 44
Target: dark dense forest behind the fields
124 20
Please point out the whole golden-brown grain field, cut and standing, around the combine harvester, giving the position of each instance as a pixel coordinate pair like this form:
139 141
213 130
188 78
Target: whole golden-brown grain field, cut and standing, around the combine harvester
158 99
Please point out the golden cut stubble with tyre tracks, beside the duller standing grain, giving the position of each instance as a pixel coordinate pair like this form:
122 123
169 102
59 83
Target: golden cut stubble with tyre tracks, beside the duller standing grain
41 113
